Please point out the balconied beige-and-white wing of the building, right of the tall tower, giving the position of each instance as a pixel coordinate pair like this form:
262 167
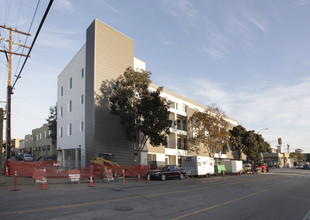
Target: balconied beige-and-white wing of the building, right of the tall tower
181 109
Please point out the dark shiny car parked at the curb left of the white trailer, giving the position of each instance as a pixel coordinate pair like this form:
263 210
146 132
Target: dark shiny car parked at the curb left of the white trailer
168 171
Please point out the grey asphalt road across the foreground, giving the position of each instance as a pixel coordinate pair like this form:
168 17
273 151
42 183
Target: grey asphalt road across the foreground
279 194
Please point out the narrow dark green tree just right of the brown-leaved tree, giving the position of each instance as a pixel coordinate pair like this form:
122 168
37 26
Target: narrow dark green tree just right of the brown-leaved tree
236 140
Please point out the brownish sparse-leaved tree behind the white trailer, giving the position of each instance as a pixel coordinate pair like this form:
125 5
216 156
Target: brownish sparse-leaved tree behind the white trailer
209 128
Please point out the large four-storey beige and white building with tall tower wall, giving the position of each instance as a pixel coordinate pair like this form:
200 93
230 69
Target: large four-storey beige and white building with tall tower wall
85 126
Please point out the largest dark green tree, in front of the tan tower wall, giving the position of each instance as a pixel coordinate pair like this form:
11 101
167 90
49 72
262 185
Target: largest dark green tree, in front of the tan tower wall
144 114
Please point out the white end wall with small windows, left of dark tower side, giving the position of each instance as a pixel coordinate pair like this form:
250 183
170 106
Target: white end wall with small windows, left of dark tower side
71 112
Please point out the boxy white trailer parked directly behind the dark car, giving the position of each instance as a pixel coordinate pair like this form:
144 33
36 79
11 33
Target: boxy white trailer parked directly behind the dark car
198 165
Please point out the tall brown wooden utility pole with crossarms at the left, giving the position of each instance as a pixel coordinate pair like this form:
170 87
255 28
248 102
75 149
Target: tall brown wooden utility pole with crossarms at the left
9 54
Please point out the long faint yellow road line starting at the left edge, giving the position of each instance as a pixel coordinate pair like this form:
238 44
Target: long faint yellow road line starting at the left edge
117 200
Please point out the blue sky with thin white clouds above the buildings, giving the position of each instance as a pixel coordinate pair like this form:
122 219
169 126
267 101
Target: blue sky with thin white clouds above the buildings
251 58
